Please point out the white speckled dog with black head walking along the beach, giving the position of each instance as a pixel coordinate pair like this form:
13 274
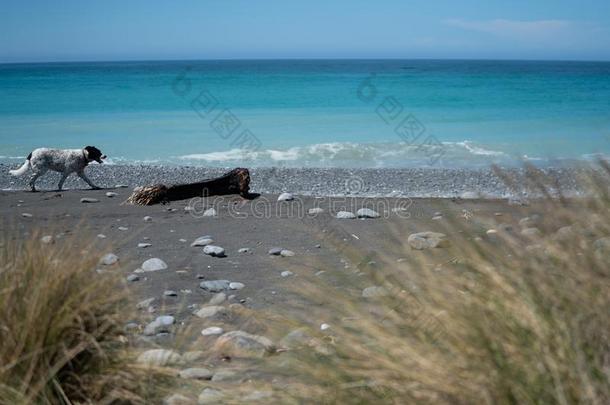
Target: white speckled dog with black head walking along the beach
65 161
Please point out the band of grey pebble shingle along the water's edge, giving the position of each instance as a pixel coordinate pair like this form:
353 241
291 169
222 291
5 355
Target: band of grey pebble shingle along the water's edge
326 182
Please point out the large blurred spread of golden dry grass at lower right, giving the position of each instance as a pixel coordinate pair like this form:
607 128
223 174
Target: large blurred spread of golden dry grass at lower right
509 319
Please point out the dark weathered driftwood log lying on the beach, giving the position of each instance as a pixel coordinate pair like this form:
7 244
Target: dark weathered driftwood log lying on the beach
237 181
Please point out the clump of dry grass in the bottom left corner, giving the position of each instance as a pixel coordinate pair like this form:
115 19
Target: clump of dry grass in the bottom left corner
61 338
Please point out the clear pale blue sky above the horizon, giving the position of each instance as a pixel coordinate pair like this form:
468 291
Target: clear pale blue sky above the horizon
73 30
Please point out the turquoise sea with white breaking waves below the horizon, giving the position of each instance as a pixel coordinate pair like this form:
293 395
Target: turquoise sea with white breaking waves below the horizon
311 113
